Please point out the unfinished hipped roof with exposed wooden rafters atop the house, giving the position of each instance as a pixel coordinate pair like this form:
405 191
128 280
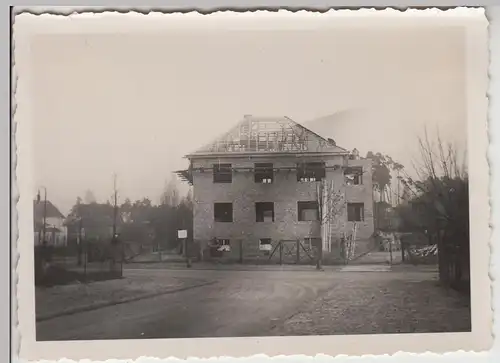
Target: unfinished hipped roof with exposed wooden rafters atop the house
255 135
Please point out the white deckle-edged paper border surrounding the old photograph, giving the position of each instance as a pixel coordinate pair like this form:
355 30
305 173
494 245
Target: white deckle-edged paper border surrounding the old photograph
475 24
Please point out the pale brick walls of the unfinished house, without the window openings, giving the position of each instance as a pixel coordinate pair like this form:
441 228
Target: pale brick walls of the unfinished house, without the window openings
285 192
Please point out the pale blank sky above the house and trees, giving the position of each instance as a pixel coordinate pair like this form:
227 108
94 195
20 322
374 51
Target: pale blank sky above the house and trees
135 104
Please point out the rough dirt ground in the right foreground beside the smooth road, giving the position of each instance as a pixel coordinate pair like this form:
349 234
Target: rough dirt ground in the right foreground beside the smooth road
381 306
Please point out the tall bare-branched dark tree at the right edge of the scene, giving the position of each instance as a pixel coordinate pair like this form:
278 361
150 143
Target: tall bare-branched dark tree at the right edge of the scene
441 189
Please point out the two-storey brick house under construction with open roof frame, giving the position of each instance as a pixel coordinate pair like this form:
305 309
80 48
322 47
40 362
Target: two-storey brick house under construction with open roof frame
270 189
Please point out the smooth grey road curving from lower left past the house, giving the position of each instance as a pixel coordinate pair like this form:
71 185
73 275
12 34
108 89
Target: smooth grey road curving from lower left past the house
240 303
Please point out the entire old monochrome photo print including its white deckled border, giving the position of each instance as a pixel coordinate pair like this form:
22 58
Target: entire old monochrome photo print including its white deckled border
264 176
